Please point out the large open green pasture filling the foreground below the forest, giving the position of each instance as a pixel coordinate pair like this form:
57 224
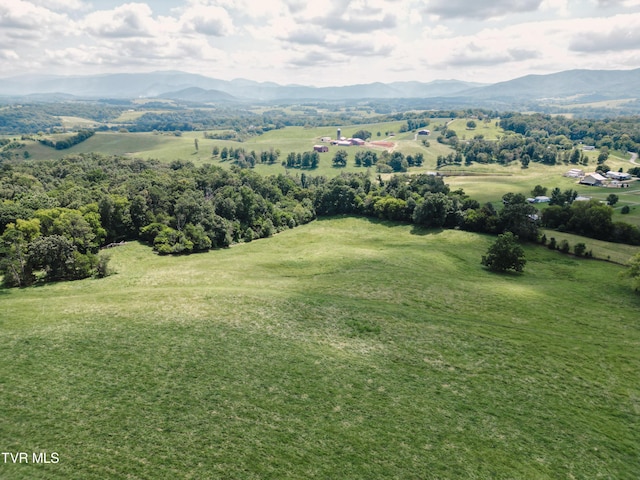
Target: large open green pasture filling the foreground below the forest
345 348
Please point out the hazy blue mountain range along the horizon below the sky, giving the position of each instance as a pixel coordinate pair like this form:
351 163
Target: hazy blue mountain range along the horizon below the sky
576 85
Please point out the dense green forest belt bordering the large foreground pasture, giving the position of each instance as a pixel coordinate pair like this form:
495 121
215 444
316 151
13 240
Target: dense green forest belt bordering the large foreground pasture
56 215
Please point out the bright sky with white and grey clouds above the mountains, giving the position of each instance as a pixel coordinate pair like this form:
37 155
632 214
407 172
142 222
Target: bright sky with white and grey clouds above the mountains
320 42
